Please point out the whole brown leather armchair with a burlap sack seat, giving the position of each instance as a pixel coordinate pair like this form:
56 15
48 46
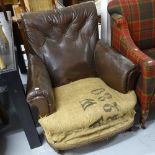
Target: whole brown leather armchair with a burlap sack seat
81 87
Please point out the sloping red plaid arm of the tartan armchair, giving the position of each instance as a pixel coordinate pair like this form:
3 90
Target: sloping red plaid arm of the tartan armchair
122 40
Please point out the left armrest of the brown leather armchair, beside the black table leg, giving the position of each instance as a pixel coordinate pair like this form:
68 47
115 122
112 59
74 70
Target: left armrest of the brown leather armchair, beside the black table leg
39 87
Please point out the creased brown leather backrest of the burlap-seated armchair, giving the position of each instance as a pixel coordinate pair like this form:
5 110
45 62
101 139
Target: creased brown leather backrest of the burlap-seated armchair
65 40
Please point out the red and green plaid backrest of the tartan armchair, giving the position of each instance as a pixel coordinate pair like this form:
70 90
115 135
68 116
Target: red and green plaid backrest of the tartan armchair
140 15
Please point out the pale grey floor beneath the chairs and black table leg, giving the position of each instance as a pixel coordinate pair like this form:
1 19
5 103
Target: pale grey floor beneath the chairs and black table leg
136 142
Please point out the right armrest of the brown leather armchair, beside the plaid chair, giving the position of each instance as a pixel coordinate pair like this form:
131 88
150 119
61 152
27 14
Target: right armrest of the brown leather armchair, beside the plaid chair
114 69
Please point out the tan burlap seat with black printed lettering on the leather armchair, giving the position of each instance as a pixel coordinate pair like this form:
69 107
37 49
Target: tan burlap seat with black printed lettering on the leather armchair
87 110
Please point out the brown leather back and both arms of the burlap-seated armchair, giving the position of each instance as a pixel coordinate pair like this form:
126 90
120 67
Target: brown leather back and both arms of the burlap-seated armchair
63 42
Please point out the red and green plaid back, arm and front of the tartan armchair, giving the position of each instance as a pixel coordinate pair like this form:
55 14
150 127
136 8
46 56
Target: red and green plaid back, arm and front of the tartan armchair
131 33
